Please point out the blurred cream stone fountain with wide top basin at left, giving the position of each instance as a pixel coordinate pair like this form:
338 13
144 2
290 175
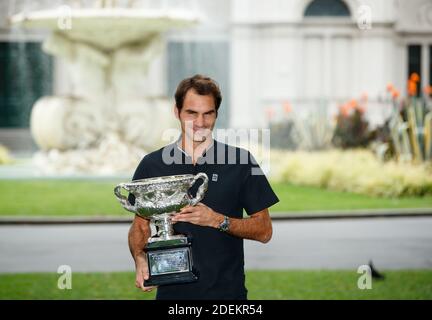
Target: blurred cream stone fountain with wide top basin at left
108 121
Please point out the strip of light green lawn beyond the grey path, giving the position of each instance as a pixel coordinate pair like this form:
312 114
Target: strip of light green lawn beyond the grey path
93 198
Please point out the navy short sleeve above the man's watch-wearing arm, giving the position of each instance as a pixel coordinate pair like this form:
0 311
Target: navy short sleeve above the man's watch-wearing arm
256 192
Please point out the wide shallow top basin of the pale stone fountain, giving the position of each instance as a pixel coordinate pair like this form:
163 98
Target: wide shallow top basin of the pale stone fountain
107 28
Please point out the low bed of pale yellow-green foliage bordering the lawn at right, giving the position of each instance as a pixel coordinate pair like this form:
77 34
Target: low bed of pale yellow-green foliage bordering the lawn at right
357 171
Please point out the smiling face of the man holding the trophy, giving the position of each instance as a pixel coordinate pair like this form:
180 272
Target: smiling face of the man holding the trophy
197 117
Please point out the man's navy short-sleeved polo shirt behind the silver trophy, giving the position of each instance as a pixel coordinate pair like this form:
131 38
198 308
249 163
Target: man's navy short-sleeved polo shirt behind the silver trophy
236 183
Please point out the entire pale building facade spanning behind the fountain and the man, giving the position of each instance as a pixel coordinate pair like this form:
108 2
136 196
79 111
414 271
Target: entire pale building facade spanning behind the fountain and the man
264 54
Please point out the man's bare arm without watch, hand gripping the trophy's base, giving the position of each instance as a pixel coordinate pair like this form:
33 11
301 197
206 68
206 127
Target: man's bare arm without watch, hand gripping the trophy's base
139 233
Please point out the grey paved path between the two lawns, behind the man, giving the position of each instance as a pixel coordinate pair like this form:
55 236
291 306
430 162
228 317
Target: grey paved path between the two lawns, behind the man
395 243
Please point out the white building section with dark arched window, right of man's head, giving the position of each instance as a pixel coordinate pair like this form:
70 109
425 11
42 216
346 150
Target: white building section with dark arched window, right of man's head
304 51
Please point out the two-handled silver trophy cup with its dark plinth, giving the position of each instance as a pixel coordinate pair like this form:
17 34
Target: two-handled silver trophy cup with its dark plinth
169 255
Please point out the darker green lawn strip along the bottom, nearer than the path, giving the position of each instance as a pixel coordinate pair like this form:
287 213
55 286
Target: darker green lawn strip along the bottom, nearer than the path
279 285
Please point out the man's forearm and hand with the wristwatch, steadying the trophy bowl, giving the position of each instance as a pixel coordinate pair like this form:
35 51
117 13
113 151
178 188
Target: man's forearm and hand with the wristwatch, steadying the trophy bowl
257 227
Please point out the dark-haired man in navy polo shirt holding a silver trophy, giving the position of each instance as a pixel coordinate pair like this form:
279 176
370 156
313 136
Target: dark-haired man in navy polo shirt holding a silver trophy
216 224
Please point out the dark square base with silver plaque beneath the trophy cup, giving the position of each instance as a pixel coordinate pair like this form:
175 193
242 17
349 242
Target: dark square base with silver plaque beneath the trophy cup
170 262
